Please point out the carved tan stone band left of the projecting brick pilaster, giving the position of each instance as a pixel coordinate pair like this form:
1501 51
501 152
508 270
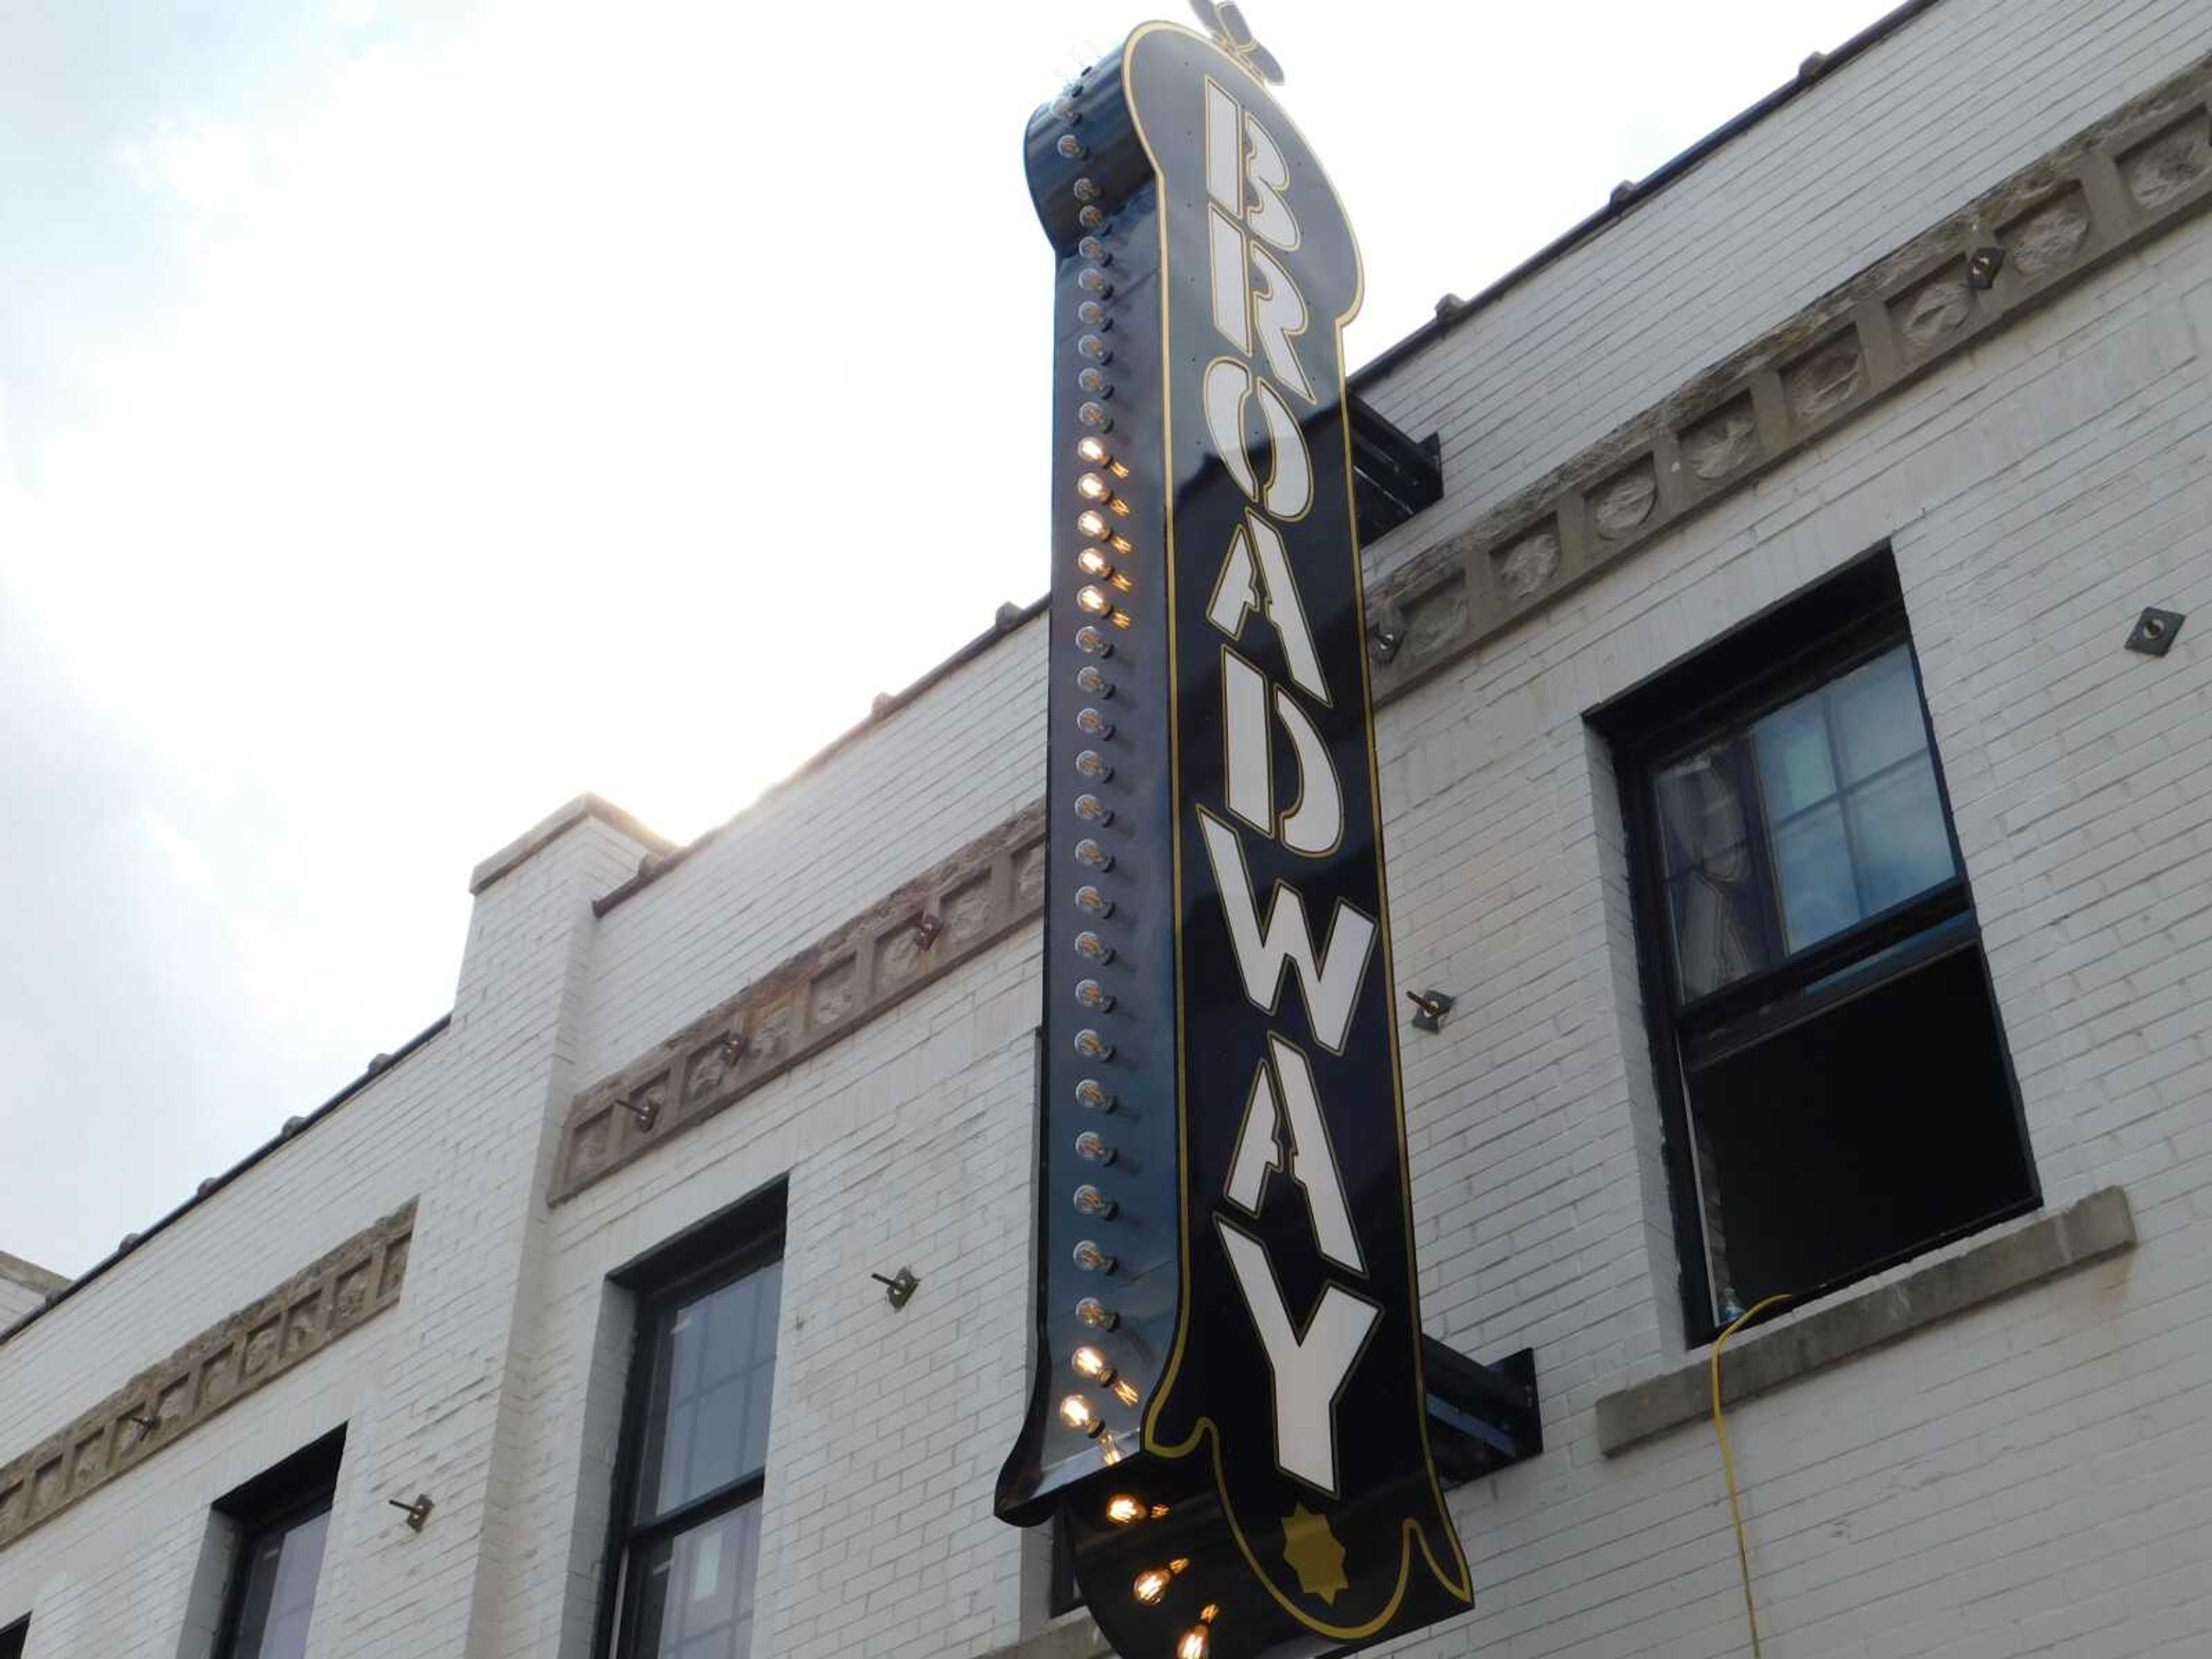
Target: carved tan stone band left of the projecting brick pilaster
207 1377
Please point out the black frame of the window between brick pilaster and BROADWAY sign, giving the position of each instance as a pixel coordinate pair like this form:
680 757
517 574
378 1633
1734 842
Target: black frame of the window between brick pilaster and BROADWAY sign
720 1251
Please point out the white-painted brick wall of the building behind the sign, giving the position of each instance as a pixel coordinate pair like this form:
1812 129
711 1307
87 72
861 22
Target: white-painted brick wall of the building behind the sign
2021 1481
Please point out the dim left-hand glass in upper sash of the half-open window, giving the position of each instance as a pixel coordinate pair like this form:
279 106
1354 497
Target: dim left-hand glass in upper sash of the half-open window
1713 899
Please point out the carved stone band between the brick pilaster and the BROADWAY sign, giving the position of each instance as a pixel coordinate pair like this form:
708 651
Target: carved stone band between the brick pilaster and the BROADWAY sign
831 990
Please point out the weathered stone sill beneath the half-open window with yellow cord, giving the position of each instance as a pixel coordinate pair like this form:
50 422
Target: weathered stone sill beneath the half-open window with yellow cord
2049 1246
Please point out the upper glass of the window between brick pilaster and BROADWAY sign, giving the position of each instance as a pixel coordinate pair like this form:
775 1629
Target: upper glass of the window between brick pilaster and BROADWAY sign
709 1421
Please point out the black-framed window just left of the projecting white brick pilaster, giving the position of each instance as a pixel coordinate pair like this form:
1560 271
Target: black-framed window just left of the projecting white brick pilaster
282 1521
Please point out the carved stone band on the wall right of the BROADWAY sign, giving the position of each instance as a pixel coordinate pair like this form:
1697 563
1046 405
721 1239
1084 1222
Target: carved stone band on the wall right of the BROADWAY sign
2116 187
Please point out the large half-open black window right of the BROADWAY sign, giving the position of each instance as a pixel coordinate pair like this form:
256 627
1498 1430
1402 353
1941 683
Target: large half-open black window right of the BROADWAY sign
1833 1070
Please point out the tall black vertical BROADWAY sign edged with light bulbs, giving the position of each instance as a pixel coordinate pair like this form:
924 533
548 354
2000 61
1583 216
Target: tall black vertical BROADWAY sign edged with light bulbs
1229 1406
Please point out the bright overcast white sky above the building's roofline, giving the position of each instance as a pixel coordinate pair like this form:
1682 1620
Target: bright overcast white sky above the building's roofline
413 415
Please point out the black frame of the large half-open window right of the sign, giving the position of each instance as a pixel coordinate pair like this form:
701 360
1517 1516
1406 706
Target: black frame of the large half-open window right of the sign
1793 651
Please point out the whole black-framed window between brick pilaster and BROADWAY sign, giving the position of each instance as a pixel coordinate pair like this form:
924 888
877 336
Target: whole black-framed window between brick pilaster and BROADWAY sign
696 1446
